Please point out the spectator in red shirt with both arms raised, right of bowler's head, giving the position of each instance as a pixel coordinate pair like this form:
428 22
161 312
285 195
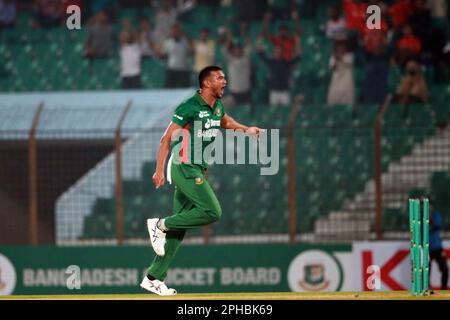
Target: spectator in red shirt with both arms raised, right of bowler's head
289 44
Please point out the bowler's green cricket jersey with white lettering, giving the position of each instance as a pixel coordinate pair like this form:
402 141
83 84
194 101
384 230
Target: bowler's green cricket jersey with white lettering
203 125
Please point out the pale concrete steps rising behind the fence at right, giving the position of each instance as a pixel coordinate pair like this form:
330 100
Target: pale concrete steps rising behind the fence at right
357 216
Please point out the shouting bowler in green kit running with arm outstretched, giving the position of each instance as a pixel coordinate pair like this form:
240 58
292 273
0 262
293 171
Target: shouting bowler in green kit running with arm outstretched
195 203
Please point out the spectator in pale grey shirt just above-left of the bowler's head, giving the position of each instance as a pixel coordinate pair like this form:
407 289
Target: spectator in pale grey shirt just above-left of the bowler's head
177 49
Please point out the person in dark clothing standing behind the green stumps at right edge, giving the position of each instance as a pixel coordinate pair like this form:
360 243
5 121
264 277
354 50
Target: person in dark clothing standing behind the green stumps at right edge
436 250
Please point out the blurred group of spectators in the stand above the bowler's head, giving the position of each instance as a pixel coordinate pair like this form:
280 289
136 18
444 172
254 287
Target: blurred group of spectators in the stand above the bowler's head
164 38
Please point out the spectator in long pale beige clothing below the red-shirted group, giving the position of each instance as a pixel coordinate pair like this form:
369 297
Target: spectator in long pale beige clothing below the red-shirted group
342 87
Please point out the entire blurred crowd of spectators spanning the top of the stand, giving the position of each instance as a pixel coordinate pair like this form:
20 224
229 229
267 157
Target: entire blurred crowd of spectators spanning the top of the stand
411 39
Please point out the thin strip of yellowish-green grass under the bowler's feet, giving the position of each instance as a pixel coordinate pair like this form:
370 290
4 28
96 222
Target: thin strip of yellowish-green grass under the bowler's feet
386 295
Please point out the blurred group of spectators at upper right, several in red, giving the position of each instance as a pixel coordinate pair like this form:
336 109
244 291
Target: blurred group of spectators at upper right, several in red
411 39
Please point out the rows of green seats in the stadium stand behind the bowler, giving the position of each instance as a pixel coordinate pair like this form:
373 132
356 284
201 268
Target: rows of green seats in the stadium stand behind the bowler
333 145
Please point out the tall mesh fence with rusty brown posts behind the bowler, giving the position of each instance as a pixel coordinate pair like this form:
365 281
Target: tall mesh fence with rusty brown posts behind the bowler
337 183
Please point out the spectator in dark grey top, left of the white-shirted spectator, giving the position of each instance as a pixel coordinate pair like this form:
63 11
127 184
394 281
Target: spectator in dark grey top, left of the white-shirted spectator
100 40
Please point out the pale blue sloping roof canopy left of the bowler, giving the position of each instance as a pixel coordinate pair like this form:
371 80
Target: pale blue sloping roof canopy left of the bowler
84 115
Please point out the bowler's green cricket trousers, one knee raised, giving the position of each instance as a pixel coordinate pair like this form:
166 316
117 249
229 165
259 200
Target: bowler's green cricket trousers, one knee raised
194 205
